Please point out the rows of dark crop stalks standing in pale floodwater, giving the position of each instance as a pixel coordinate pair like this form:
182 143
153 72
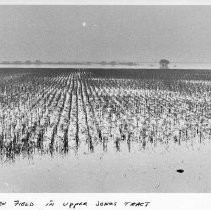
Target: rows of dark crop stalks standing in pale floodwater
80 111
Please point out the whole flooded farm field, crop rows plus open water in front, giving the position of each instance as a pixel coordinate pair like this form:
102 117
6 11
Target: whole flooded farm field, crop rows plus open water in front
92 130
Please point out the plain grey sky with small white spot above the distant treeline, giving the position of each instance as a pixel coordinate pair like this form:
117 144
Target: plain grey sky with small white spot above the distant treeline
97 33
